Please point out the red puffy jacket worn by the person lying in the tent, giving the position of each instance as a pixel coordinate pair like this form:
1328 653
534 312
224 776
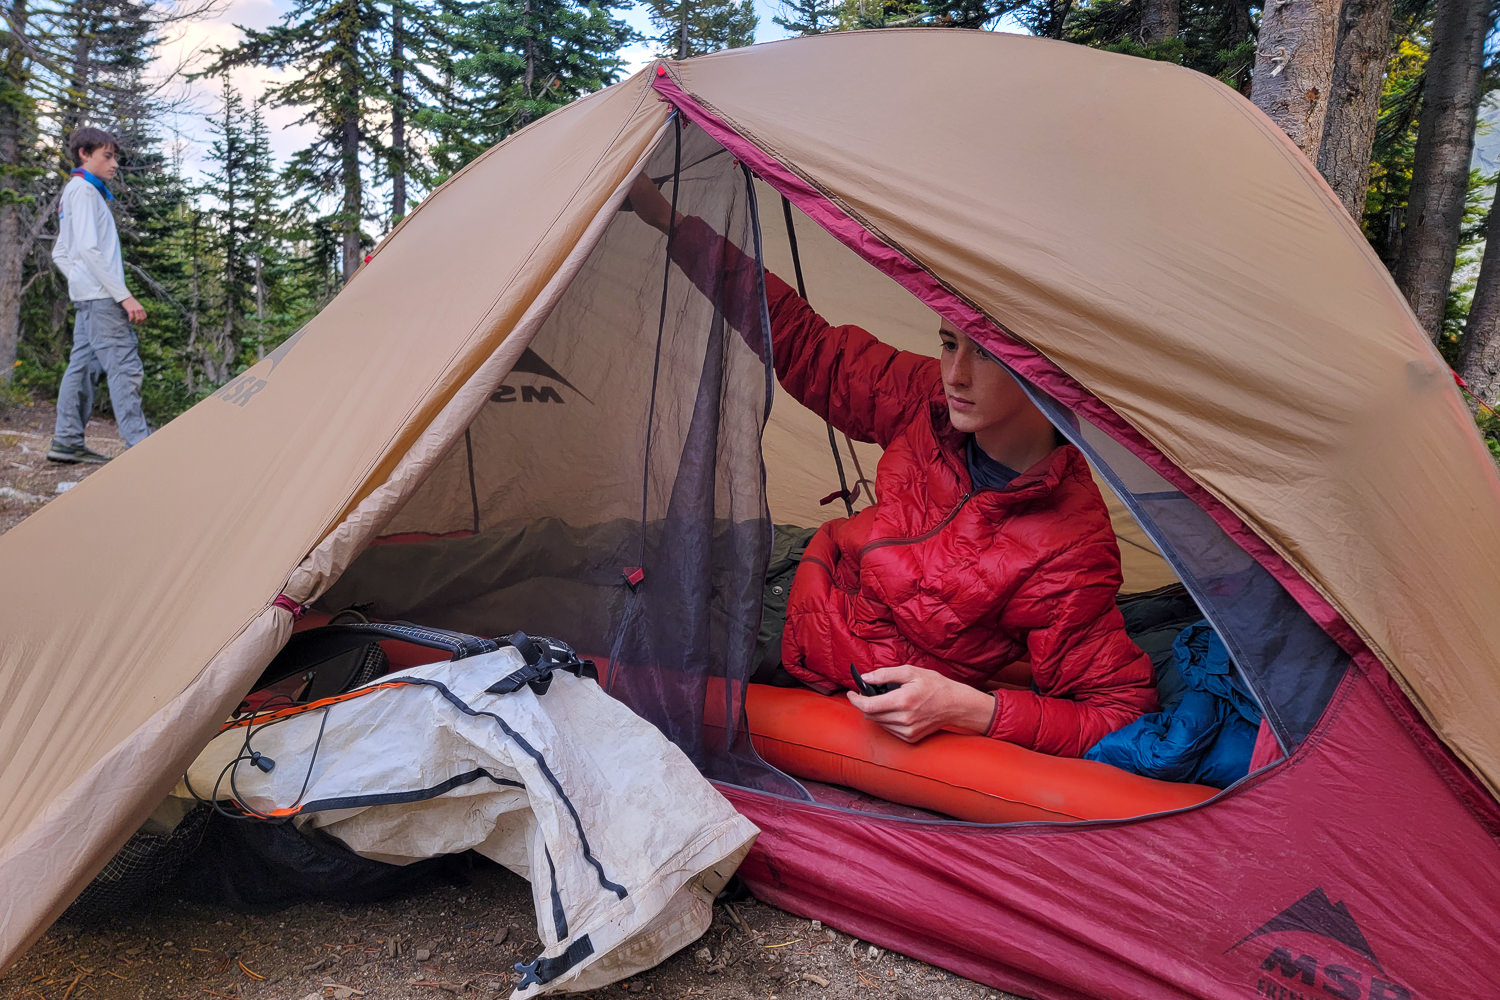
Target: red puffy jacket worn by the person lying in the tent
935 573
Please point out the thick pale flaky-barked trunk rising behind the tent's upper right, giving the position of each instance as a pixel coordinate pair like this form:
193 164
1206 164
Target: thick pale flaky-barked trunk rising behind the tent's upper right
1295 68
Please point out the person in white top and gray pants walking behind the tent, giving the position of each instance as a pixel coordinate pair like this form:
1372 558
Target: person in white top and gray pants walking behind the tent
88 253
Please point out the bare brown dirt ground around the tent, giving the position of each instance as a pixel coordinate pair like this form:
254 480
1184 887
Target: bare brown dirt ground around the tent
446 942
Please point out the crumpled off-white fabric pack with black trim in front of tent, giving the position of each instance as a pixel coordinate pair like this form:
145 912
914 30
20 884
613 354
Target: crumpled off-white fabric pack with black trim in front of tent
623 840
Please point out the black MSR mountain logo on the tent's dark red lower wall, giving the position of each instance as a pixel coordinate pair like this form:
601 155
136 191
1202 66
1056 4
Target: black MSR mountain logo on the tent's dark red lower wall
1316 950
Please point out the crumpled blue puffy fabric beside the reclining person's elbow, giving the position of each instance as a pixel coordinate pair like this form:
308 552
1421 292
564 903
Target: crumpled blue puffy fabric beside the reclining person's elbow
1207 729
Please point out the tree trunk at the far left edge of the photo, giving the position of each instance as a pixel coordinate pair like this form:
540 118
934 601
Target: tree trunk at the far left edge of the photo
13 250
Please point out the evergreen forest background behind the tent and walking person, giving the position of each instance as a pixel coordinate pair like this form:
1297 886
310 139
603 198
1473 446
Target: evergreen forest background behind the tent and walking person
236 245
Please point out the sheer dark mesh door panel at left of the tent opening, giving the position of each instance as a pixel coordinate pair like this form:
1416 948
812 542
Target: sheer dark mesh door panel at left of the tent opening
626 439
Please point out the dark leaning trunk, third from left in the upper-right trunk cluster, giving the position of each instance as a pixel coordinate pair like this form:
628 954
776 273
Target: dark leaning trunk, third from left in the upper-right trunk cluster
1445 143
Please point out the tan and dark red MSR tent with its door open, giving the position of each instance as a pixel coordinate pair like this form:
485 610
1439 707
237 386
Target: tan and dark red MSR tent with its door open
520 416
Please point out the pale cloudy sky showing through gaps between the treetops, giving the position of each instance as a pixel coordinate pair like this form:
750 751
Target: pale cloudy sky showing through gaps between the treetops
187 47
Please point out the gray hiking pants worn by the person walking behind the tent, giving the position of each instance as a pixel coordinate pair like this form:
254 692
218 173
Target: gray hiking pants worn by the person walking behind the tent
103 340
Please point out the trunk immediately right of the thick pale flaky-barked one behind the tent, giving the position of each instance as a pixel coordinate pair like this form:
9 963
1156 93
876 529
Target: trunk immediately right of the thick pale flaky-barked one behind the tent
1354 104
